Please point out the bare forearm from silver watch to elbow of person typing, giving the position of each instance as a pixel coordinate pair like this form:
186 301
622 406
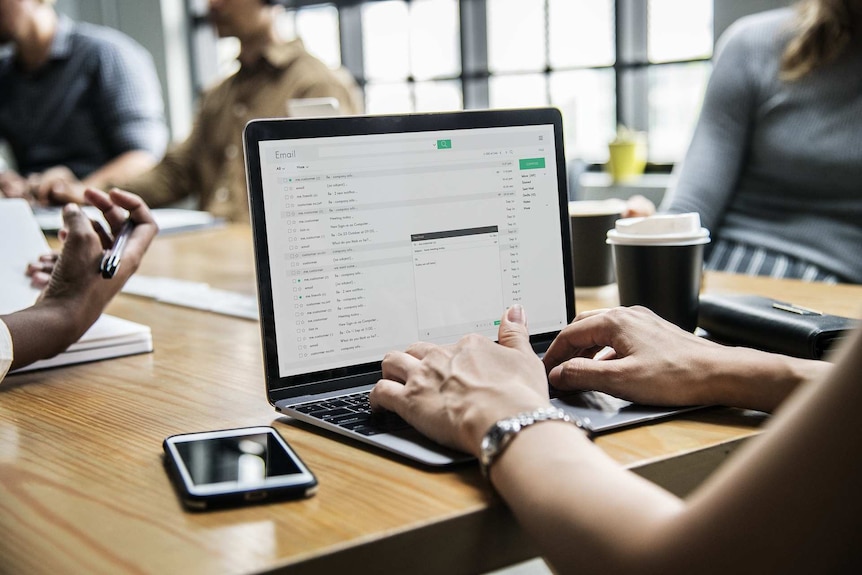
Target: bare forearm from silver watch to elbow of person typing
583 510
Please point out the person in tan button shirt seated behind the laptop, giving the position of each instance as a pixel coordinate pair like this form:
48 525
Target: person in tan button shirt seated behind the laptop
209 164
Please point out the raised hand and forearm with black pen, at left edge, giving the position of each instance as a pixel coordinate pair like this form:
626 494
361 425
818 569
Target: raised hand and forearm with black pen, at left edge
76 293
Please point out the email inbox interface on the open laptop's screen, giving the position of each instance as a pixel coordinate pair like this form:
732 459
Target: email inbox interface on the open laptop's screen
378 241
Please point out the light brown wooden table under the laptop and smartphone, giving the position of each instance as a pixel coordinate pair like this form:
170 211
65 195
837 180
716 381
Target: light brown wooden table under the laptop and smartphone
82 488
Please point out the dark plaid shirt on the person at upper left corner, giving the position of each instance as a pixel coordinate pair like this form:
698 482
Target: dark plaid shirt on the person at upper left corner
97 97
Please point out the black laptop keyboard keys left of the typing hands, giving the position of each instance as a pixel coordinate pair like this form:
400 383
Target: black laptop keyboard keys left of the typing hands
353 412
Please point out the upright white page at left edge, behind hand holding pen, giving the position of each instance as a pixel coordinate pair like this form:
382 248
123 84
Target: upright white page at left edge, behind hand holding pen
21 242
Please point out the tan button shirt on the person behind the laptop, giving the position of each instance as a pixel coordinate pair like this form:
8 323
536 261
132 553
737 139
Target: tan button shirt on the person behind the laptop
209 165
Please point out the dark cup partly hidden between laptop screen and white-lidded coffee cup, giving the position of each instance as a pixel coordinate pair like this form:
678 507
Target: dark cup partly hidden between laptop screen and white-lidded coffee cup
592 257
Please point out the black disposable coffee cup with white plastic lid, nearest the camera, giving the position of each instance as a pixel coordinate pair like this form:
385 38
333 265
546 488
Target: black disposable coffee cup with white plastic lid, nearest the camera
659 264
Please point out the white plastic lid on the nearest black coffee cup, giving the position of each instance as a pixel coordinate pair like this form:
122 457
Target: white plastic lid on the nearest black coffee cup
660 230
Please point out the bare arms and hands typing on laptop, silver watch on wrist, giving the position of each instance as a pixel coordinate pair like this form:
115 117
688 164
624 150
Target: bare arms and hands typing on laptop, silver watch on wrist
788 503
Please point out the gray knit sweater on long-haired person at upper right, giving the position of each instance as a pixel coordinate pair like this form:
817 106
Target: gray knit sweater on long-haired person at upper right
777 164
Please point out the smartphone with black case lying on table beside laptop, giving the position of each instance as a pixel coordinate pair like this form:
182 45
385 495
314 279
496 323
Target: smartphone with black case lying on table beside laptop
232 467
